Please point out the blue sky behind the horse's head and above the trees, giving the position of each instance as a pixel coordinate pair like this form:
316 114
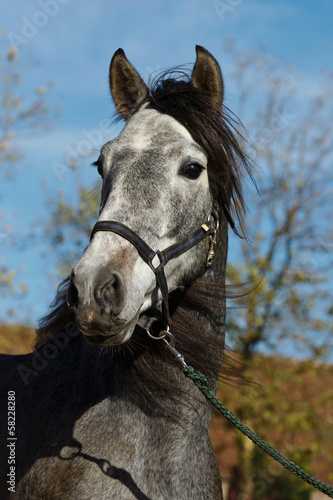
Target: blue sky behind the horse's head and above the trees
73 42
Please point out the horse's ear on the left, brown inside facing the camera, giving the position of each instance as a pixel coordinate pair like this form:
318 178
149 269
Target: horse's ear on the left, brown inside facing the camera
128 90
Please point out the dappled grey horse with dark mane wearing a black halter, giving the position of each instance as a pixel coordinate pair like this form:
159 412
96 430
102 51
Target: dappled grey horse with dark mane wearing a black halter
101 410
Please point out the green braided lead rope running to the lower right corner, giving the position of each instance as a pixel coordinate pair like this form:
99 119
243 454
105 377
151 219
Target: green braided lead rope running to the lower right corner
202 383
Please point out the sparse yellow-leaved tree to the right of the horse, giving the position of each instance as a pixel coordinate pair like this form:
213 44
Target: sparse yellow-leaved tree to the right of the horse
287 264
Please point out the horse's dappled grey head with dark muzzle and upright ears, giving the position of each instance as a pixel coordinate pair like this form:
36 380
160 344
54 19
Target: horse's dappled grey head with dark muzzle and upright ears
157 184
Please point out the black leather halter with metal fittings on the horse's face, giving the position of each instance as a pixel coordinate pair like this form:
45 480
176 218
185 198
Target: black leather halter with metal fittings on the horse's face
157 260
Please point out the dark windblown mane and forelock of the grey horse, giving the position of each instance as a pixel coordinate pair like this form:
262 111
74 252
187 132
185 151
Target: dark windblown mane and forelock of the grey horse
219 133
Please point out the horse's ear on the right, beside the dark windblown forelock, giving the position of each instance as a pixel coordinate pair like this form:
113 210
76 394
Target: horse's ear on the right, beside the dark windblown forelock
207 75
